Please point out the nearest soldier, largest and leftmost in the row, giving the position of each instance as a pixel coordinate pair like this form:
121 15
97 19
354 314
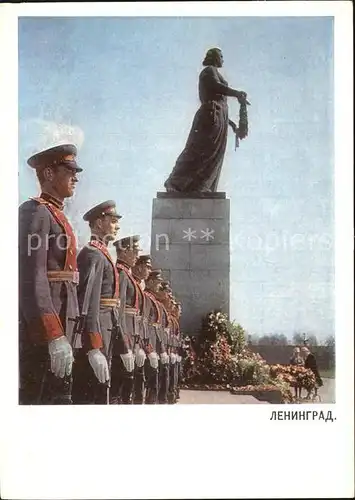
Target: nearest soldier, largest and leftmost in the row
47 281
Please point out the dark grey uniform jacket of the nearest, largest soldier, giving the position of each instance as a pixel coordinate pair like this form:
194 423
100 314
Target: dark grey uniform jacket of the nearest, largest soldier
47 272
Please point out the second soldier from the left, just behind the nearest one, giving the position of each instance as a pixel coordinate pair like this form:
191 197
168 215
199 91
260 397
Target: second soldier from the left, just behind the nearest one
98 293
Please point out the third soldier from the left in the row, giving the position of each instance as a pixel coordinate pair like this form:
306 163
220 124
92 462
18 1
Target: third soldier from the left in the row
127 253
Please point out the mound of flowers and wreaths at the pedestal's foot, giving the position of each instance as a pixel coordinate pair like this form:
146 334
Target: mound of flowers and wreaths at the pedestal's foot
218 359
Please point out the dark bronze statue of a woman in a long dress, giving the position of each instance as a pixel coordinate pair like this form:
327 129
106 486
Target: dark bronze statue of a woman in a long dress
198 167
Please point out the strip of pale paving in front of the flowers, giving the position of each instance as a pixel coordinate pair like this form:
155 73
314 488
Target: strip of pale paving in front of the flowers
215 397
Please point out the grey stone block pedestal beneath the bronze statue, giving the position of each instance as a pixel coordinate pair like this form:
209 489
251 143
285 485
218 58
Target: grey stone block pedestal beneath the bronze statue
190 243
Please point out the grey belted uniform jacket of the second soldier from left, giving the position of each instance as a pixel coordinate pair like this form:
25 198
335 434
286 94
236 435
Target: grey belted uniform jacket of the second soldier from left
103 315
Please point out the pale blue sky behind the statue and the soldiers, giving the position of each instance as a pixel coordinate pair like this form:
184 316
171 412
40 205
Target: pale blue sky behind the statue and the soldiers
124 90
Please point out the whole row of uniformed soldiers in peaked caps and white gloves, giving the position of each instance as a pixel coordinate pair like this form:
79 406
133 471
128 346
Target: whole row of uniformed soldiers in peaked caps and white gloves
92 330
